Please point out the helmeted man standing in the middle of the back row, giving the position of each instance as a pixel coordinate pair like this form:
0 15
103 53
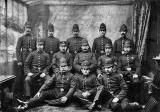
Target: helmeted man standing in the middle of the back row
74 43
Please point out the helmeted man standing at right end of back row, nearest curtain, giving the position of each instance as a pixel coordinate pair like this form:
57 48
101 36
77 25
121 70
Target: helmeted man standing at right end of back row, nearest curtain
119 43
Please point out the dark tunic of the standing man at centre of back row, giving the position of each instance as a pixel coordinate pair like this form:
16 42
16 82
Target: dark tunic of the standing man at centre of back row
74 45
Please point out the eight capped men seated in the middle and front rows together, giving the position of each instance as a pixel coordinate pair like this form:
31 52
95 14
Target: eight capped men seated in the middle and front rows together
110 85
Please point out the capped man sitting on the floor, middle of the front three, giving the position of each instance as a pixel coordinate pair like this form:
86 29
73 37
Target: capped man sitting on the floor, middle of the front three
87 91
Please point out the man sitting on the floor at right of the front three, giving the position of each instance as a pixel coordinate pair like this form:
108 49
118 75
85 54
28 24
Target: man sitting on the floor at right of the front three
115 89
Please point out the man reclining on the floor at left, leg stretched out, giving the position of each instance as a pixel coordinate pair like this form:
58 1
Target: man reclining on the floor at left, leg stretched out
56 91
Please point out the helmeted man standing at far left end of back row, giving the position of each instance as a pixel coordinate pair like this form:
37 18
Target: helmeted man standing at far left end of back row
25 45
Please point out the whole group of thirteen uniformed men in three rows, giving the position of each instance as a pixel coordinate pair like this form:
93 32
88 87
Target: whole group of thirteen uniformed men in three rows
104 75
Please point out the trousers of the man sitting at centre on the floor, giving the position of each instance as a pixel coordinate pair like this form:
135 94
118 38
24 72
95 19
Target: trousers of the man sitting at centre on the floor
94 97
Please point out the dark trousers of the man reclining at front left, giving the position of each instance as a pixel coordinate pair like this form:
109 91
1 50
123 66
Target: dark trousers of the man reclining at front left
50 96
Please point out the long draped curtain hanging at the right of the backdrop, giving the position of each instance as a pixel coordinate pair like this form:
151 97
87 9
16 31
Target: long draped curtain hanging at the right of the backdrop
140 26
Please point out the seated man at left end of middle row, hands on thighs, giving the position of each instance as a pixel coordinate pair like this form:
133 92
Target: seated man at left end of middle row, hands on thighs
36 67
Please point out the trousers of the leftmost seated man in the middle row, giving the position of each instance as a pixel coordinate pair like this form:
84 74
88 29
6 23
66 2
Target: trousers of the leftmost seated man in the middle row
28 83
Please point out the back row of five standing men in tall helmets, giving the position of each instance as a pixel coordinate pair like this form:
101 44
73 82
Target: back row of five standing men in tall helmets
27 43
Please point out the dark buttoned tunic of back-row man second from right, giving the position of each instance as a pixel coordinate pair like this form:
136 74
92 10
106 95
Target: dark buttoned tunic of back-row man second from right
99 45
